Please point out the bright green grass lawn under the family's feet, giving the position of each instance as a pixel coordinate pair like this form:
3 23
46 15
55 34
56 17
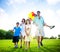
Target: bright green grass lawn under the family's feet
50 45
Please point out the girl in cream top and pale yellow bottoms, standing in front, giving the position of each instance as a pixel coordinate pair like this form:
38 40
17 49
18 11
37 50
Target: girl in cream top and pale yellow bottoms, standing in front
27 31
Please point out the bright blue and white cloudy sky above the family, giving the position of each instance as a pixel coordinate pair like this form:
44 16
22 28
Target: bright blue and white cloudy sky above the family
12 11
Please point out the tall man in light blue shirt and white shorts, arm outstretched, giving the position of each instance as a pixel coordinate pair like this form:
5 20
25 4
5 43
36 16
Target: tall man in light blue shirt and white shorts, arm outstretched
39 22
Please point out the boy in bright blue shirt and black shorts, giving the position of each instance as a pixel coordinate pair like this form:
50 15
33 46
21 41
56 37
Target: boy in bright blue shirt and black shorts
16 35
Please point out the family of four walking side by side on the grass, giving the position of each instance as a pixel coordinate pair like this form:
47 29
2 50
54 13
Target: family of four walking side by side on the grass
24 31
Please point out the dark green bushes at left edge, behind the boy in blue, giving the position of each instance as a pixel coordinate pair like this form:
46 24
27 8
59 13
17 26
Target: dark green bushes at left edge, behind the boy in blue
6 34
